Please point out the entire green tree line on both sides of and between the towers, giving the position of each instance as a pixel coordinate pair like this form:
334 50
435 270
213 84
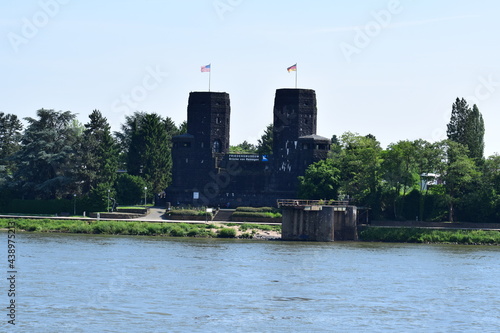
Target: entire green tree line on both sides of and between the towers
56 157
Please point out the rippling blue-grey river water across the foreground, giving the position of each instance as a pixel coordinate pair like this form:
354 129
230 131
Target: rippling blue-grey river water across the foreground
81 283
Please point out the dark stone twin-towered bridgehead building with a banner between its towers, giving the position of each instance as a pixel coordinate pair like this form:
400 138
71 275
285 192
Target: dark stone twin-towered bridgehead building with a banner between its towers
205 173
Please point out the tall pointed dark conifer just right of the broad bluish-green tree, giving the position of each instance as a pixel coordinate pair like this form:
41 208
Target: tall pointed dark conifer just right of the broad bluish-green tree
98 154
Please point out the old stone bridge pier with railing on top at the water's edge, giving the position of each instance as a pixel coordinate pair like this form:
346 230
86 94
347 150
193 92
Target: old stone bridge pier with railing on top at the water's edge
316 221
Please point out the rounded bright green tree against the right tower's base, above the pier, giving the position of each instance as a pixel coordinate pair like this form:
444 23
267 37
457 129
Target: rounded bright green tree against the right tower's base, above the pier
321 181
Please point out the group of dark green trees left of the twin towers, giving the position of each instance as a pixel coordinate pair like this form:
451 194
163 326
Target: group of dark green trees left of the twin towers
56 157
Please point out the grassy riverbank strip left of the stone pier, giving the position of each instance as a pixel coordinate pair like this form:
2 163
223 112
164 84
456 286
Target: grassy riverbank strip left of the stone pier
210 230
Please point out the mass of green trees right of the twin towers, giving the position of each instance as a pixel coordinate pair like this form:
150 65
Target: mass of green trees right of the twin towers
448 180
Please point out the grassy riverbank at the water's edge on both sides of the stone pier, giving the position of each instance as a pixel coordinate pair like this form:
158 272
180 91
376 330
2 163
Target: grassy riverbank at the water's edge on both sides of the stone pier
246 231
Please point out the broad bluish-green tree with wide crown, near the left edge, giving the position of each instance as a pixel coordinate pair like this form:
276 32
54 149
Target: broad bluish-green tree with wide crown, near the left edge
46 161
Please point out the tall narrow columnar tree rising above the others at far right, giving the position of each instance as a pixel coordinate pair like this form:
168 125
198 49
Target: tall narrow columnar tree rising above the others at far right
466 127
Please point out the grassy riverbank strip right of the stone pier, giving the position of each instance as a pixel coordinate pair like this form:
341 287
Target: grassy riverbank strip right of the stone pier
420 235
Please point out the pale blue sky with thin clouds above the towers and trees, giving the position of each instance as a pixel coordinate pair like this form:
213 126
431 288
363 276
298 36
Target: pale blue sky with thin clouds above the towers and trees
388 68
